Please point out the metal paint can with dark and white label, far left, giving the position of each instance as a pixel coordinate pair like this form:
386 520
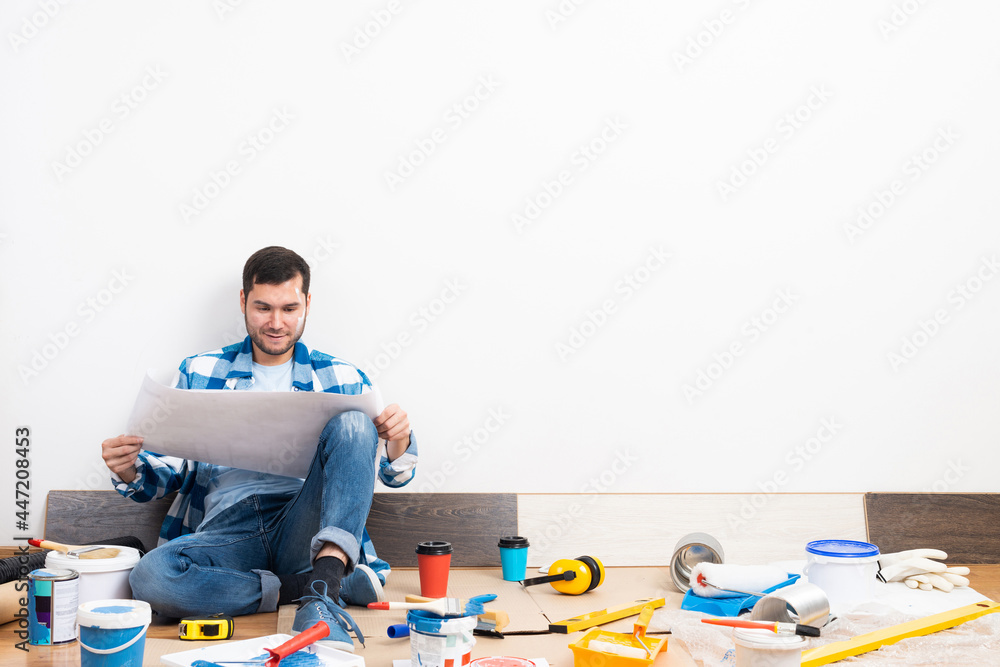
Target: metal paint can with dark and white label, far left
53 596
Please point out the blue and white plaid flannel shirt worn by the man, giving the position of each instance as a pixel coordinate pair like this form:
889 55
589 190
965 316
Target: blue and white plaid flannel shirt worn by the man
232 368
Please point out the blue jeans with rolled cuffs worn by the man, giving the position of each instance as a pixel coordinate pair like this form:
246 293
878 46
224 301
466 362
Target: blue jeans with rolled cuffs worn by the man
230 565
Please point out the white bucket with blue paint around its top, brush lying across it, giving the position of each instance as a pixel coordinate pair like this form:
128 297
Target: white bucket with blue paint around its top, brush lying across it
439 641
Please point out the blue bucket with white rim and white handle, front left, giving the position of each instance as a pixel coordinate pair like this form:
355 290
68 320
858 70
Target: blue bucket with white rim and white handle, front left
113 632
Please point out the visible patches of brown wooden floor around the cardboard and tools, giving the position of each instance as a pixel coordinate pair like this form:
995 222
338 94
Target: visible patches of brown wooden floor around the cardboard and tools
985 579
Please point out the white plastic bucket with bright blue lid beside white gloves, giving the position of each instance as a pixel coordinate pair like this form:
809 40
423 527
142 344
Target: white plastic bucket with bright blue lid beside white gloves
844 569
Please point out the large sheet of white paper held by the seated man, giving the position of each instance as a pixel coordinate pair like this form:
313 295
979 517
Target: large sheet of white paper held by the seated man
273 432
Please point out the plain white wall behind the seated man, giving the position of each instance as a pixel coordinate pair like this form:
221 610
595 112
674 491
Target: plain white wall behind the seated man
881 95
